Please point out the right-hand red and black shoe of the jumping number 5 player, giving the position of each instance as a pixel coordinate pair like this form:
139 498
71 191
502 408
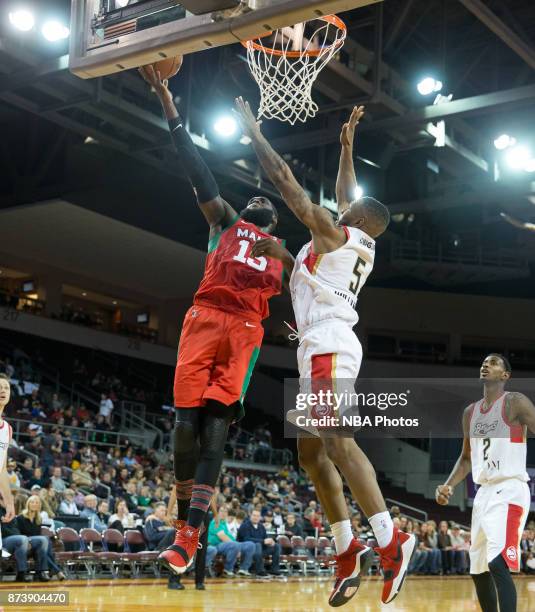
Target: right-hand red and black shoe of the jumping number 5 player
395 560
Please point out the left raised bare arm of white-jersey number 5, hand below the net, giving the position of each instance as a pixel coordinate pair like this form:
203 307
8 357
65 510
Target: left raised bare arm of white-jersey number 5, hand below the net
316 218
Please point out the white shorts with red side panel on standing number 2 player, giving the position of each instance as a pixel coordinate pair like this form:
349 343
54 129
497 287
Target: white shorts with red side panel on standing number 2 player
498 518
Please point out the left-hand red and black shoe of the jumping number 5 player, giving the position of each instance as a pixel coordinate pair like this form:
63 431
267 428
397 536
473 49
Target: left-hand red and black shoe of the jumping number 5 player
349 566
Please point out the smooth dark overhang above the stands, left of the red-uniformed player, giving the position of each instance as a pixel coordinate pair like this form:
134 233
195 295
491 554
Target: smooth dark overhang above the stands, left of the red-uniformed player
86 245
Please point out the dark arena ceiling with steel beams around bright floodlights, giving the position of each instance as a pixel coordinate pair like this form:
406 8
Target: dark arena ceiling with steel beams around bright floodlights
103 143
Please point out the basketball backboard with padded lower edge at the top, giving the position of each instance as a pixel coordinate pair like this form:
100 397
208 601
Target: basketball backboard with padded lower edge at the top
109 36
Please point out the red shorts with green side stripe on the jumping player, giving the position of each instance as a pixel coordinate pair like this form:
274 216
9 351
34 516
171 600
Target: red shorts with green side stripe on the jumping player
216 356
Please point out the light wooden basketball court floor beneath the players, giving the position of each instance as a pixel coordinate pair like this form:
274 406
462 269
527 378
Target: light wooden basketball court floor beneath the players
295 595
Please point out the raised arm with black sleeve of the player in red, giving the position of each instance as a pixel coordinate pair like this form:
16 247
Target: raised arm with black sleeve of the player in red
218 213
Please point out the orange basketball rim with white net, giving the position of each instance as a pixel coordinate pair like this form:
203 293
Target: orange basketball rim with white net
286 71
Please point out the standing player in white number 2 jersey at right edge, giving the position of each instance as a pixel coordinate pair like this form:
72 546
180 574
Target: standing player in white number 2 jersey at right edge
494 449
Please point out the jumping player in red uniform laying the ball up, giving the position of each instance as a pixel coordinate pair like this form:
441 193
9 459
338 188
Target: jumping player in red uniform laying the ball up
221 334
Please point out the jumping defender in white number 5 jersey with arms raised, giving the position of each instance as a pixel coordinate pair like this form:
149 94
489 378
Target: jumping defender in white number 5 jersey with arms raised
325 281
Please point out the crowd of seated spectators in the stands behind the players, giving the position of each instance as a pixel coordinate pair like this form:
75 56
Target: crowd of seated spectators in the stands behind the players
83 469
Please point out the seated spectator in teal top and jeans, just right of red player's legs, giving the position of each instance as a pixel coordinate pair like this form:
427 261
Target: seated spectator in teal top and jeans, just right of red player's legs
221 541
